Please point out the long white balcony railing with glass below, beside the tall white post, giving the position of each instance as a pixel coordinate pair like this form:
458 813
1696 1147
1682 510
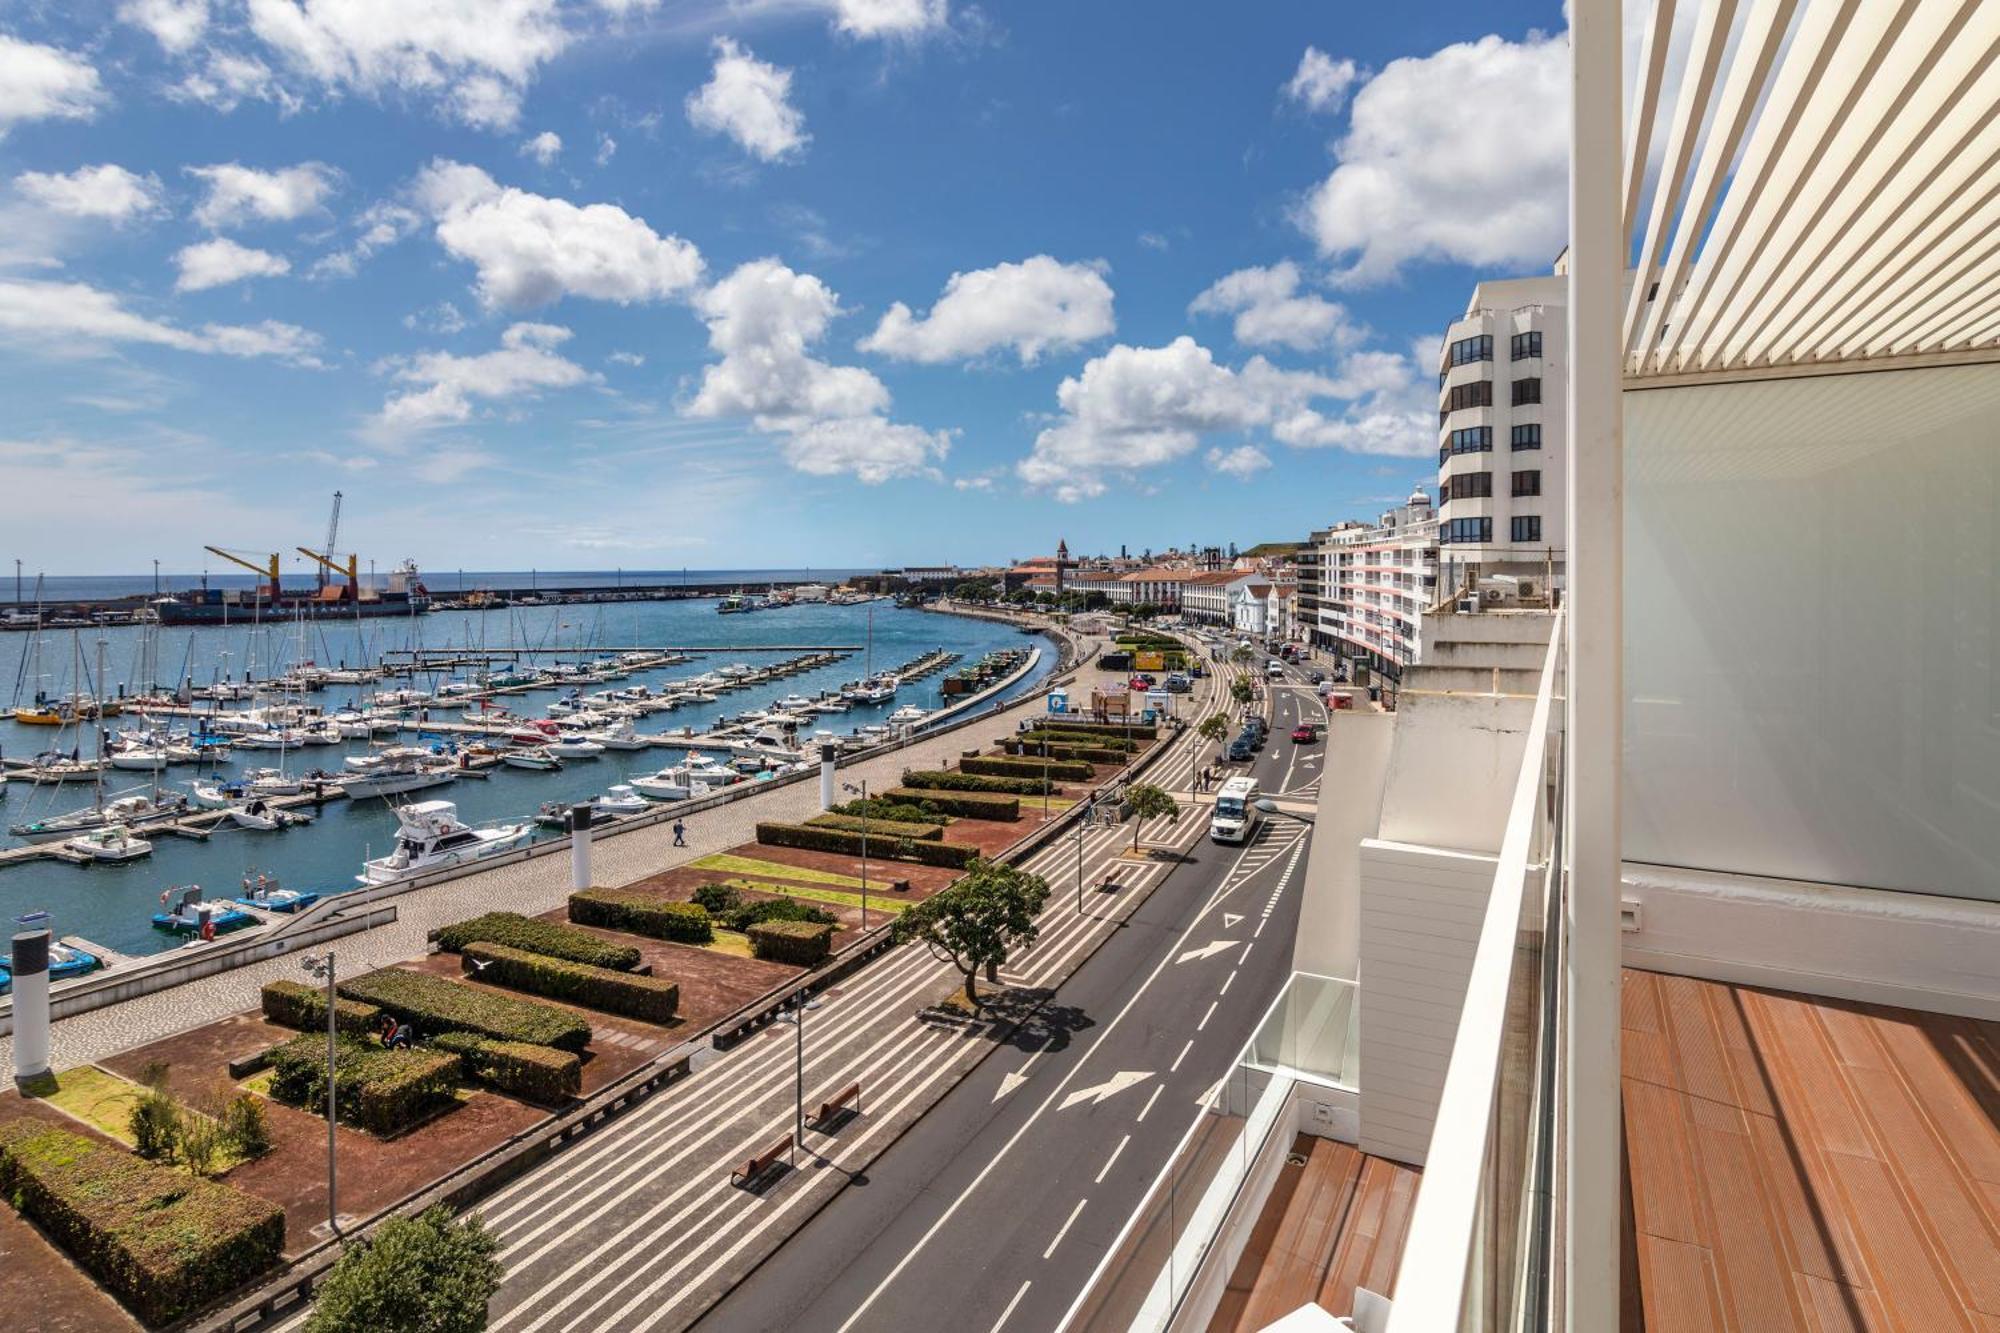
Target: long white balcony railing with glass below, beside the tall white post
1461 1264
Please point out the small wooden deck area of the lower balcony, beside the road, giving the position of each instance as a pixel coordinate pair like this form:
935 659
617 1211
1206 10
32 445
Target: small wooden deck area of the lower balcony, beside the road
1327 1228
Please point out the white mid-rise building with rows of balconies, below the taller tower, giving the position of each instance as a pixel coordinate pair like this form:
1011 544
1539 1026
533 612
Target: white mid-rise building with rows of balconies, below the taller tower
1377 583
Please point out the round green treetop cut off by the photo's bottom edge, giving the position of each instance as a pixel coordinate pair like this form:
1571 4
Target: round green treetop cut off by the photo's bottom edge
423 1274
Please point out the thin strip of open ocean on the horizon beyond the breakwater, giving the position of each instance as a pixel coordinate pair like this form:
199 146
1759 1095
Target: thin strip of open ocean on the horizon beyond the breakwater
441 581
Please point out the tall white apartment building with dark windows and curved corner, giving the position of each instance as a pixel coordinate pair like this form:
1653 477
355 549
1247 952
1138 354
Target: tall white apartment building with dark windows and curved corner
1501 435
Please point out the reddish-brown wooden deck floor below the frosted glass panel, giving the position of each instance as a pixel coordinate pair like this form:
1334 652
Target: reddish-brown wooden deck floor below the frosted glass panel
1807 1164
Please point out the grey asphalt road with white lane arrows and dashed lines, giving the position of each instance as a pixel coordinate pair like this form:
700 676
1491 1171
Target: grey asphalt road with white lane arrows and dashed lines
993 1212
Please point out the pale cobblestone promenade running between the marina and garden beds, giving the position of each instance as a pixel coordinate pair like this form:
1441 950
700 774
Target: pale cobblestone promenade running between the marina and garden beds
529 888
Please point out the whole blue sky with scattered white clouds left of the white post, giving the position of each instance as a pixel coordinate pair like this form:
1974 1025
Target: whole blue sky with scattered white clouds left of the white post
653 285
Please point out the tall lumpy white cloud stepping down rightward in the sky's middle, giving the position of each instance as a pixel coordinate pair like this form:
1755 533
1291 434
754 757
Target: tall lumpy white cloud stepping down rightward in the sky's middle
765 321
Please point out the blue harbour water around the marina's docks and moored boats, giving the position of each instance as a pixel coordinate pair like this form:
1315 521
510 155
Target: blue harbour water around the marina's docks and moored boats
113 904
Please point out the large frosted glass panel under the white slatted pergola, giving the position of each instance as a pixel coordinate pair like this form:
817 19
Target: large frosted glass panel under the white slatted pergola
1813 589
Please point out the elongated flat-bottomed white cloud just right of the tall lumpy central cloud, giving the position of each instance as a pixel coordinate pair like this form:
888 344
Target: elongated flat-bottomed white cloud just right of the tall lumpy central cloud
1029 307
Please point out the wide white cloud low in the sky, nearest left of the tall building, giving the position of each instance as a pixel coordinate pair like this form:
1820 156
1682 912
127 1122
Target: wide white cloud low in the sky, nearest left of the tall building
1139 407
